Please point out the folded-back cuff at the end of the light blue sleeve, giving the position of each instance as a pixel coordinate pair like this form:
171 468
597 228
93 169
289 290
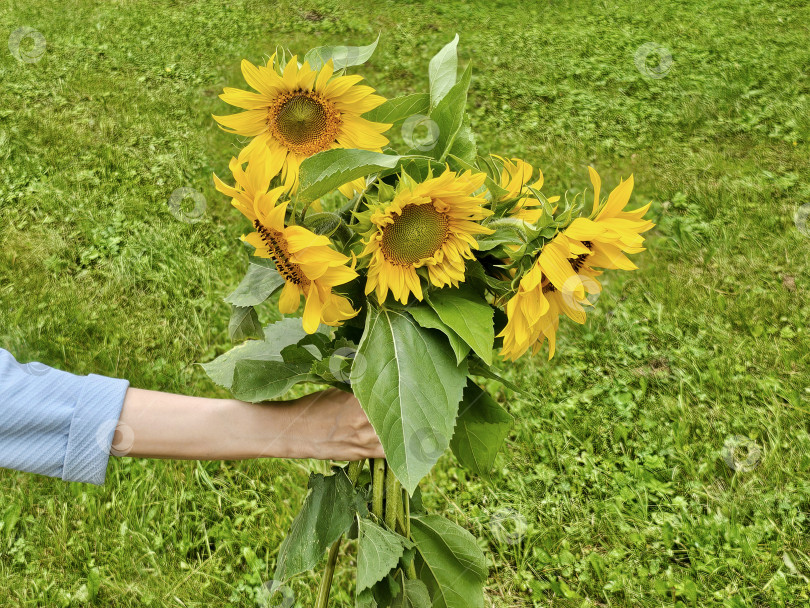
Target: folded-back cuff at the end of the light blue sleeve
95 418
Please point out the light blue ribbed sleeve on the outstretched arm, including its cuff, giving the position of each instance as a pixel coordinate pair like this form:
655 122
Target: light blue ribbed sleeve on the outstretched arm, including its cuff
57 424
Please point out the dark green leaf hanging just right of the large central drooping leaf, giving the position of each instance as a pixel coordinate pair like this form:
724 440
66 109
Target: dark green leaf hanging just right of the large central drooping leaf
482 426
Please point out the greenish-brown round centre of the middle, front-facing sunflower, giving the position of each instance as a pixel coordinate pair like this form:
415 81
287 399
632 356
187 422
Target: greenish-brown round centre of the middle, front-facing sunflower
417 233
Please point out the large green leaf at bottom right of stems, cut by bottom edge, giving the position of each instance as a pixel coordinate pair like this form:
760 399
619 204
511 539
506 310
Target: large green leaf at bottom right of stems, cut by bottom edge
452 565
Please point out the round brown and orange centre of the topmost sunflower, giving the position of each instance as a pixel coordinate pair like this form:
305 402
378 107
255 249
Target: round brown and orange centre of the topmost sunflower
303 121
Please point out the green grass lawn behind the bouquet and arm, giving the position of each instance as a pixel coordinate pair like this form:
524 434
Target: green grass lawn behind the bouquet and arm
614 474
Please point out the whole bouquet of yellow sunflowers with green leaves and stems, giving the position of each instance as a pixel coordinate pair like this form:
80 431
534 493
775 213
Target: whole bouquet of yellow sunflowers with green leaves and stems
413 268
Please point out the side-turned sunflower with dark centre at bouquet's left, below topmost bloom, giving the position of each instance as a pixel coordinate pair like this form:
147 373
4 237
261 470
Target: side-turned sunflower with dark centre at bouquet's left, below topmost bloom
307 262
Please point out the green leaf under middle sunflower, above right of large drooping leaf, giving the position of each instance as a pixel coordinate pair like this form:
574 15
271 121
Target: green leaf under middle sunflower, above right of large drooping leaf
467 314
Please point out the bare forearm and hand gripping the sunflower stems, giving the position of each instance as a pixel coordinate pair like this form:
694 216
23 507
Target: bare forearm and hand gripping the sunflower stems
329 425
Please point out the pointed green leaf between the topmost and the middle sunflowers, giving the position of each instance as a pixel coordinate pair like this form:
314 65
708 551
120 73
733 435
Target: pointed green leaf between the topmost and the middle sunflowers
328 170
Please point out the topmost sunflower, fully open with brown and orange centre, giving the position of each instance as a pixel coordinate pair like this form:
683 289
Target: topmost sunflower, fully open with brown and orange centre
299 112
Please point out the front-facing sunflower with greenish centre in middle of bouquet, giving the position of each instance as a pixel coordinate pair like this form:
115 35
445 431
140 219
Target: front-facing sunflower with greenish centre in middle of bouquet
430 224
